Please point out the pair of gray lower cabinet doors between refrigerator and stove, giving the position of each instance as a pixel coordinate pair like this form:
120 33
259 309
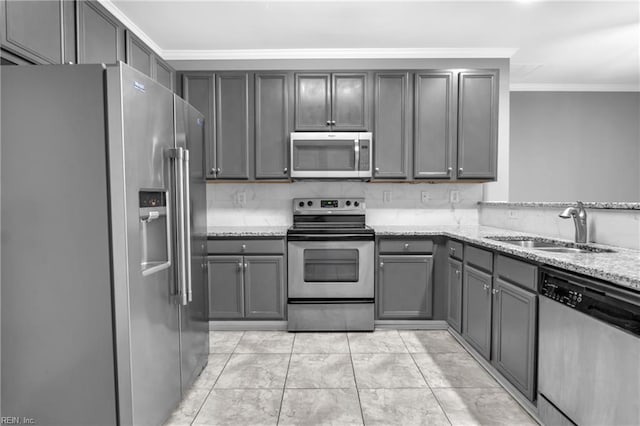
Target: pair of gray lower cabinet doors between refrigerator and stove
247 287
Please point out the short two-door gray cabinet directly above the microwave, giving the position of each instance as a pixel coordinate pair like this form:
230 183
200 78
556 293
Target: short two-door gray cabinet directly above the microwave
331 101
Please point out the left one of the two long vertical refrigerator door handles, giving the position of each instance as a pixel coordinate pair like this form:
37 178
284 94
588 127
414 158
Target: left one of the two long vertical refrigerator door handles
177 155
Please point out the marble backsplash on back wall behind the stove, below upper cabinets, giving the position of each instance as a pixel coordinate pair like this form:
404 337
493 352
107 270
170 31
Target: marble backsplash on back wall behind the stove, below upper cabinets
269 204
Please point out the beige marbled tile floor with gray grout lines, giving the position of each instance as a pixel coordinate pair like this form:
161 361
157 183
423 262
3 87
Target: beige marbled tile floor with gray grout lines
407 377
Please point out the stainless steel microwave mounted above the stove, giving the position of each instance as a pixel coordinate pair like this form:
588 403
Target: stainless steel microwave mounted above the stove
344 155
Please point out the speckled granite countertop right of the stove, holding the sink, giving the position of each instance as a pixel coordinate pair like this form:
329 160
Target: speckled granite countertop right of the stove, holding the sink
621 267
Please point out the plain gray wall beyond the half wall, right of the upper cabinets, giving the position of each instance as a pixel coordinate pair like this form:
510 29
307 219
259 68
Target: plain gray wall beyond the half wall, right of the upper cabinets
574 146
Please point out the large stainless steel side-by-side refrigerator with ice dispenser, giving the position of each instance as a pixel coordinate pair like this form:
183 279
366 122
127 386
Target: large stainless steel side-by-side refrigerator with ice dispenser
103 220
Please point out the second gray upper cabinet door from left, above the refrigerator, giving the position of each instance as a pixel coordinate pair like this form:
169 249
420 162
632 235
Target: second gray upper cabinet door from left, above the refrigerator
100 35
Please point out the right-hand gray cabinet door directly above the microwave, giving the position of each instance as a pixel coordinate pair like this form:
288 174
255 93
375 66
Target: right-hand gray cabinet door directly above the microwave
349 106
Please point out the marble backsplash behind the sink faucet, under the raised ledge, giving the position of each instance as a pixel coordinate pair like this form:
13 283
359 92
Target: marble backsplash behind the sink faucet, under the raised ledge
617 227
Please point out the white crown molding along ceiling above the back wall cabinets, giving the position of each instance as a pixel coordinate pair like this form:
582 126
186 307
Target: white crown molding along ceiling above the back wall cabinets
355 53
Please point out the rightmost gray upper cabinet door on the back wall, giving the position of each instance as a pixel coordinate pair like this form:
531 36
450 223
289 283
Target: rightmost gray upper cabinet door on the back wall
477 124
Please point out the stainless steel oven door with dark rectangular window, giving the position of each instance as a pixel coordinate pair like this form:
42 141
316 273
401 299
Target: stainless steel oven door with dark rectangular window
330 269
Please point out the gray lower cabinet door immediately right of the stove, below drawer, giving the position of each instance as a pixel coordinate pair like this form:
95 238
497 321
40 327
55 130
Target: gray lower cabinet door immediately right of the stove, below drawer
404 287
